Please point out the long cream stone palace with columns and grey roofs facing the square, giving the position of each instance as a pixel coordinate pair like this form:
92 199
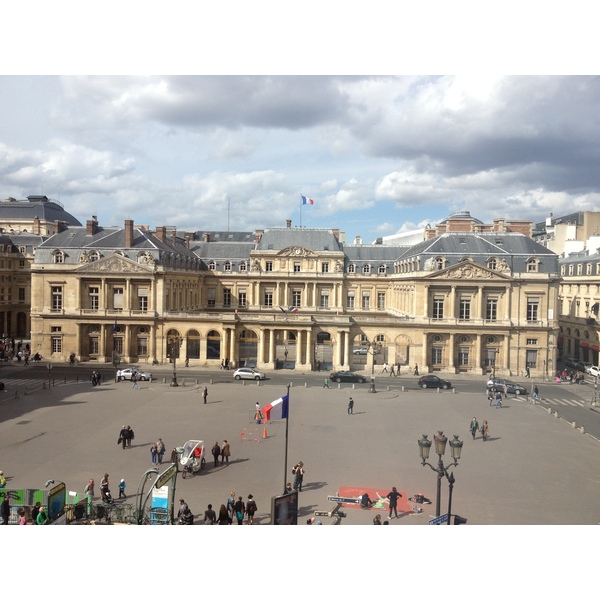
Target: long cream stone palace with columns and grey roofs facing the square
469 301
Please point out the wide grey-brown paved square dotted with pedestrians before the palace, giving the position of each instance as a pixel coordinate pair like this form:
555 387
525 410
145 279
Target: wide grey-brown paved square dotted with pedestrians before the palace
534 468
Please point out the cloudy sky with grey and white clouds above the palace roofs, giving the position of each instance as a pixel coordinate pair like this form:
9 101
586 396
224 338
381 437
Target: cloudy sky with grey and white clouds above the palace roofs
378 154
